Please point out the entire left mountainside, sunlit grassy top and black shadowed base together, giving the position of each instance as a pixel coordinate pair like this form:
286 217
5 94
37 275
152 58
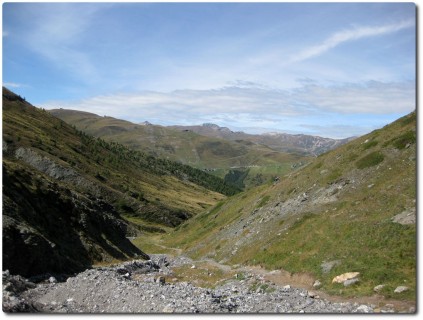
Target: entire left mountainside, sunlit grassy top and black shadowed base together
67 196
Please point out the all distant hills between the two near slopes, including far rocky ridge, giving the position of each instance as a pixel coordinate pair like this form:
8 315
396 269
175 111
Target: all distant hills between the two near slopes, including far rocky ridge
241 159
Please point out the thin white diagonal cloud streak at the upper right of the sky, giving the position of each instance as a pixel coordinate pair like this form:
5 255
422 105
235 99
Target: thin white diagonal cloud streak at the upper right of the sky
350 35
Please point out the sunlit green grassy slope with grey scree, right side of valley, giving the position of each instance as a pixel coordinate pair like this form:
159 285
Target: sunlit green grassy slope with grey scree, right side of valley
339 207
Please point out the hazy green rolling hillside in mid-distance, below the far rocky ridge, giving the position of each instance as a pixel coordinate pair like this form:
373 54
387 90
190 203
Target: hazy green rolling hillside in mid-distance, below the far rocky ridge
245 163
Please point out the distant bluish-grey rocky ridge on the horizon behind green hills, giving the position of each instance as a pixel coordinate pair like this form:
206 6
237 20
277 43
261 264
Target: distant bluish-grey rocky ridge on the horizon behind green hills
282 142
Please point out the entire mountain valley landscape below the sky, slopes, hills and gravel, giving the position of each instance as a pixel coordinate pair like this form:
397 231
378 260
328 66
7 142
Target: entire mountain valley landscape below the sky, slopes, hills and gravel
237 219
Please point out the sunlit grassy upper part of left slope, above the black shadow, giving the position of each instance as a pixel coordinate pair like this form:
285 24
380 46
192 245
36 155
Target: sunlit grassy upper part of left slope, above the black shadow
126 178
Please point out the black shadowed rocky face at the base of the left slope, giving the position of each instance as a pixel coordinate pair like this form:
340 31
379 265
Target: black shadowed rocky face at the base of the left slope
48 228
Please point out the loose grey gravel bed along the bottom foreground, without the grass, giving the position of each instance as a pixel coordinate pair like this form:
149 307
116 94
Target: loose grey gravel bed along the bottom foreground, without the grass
143 287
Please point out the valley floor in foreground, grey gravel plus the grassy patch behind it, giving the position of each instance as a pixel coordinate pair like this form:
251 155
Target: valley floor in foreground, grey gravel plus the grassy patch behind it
177 284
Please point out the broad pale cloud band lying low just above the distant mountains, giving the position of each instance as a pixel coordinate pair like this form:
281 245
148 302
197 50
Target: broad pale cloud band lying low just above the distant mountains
251 106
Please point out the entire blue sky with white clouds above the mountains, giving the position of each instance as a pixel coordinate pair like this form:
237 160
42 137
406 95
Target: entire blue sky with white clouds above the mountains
328 69
